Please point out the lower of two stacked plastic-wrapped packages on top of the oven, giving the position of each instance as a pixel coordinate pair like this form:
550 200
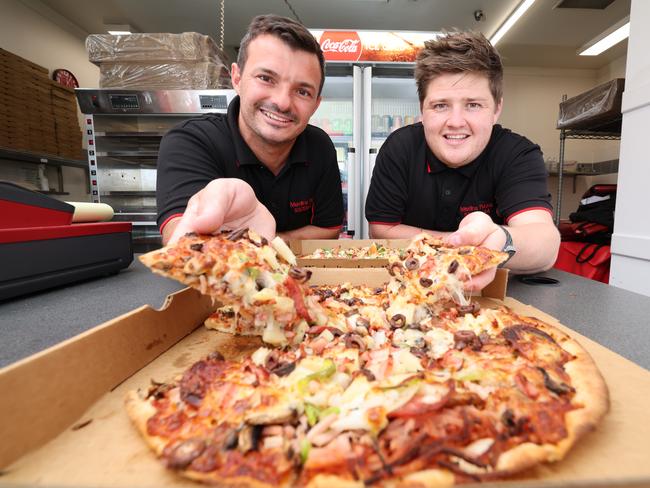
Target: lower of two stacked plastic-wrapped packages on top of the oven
164 76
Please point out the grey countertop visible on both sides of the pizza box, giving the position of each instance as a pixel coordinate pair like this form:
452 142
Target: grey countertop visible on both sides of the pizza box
615 318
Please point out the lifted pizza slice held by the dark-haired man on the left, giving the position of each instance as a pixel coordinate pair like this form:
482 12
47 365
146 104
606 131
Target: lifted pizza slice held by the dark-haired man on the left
257 279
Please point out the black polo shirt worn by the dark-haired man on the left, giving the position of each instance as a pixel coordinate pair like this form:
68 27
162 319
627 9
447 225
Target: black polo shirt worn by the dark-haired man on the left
306 191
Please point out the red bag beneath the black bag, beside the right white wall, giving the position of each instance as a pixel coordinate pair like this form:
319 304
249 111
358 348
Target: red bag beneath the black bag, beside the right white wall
590 260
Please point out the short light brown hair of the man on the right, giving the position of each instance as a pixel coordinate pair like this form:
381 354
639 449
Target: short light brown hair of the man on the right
459 52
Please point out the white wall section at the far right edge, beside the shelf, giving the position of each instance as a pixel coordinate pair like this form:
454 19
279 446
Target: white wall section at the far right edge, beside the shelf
631 241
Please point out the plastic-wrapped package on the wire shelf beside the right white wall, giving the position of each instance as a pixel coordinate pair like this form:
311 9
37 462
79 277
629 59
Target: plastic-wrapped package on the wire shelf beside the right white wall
598 109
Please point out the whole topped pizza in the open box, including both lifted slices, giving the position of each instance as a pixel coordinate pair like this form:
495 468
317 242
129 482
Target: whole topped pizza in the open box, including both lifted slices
407 384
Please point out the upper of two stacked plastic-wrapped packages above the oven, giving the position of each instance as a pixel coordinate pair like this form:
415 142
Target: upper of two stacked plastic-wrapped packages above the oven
188 46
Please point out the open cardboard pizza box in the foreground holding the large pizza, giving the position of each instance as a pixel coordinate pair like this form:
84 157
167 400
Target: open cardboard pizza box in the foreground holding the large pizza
63 421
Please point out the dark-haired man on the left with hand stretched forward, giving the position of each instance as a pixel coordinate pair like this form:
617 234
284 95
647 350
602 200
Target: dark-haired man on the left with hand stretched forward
261 165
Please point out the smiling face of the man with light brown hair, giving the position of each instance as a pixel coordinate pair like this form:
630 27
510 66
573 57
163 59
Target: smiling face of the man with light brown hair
458 113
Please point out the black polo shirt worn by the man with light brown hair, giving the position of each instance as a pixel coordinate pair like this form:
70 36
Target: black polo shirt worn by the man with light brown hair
411 186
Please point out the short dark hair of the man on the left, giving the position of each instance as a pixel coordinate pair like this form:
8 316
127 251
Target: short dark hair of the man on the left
291 32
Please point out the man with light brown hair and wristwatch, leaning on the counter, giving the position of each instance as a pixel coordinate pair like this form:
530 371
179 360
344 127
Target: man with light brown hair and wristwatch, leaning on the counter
458 174
